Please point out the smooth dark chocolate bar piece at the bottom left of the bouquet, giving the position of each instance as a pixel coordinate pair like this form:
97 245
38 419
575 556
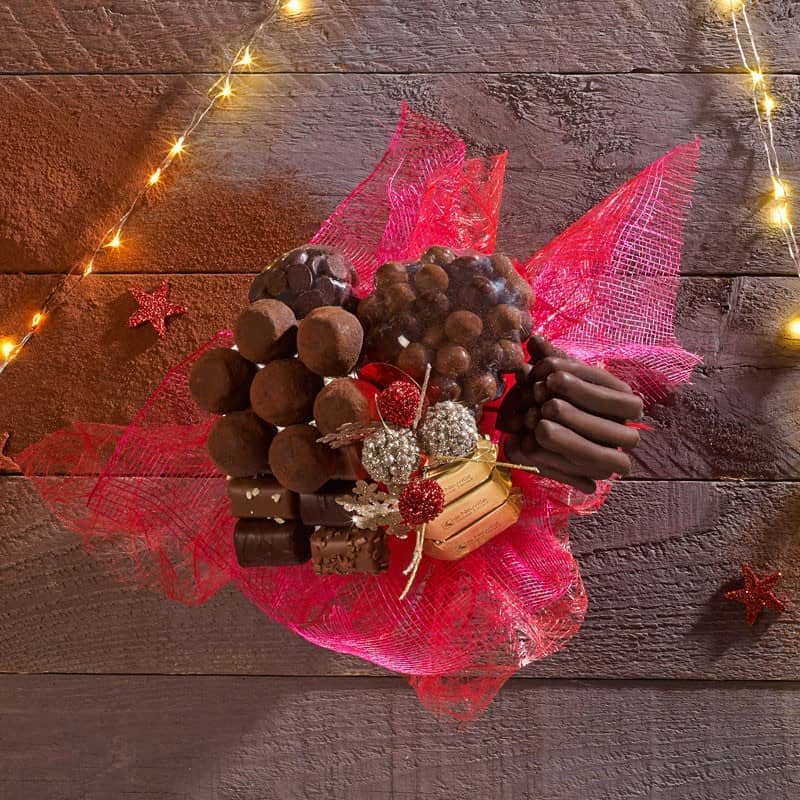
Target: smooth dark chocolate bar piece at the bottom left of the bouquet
269 543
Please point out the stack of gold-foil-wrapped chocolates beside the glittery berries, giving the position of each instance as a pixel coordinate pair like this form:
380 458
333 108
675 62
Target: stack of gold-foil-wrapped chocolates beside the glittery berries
479 504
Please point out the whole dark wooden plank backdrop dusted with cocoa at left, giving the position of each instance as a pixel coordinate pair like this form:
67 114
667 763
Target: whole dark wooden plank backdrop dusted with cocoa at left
106 692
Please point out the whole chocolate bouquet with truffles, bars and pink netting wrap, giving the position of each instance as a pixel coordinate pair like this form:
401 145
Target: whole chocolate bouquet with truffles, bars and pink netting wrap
385 452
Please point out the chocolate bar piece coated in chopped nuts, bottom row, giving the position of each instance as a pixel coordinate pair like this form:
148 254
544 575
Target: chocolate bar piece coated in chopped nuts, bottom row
342 551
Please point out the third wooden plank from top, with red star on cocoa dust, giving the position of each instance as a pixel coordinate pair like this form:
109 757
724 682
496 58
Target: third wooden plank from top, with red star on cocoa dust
87 365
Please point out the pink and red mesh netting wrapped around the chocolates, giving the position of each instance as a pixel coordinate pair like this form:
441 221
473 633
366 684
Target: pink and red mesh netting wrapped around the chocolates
147 500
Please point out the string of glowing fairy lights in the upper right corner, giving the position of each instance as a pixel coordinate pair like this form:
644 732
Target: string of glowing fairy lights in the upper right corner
764 105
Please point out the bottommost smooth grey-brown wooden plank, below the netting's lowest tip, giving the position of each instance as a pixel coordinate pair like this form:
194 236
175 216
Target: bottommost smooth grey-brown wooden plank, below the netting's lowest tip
78 737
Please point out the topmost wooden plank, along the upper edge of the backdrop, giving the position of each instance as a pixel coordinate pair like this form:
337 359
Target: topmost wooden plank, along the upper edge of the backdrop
386 36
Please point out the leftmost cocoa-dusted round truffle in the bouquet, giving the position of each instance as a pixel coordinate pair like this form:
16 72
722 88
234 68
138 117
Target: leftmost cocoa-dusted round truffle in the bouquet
220 381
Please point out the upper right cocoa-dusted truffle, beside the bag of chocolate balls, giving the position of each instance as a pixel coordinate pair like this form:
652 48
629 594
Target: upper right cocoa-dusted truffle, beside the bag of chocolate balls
329 341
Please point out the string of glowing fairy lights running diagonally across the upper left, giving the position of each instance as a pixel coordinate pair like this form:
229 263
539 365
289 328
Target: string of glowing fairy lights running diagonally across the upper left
112 239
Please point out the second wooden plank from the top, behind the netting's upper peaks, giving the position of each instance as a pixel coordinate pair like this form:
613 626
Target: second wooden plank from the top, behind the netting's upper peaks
264 172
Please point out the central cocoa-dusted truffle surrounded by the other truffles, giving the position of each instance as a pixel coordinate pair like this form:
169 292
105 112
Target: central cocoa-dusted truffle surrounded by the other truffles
283 392
